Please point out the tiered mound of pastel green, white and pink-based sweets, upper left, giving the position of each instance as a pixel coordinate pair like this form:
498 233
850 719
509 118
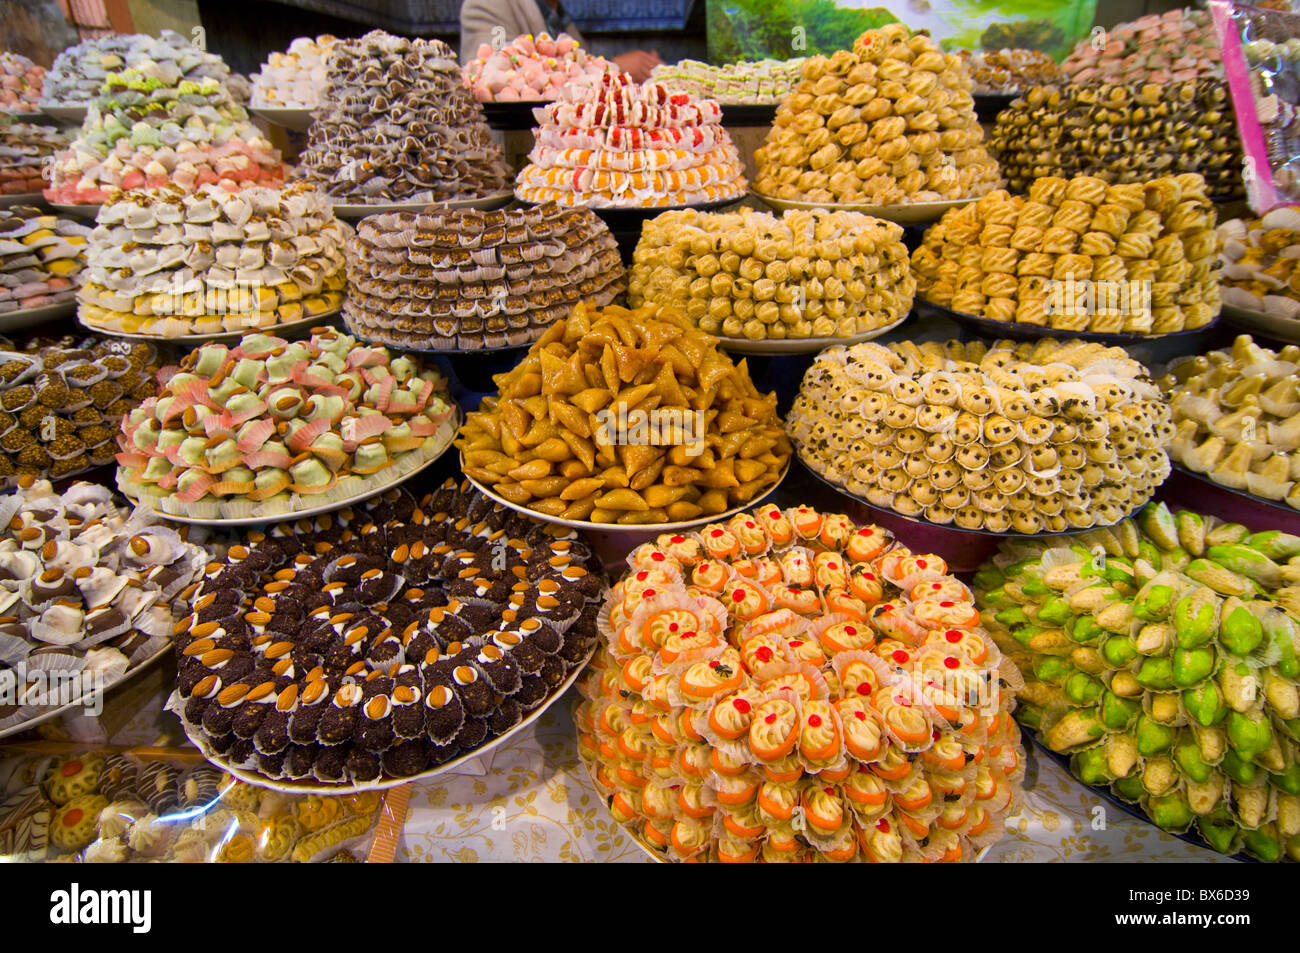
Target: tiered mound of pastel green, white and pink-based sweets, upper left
150 129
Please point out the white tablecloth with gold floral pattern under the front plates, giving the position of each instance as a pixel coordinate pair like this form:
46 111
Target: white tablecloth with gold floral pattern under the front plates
536 804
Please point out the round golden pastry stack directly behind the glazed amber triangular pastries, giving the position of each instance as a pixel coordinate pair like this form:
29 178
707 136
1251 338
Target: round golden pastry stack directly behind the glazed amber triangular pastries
756 276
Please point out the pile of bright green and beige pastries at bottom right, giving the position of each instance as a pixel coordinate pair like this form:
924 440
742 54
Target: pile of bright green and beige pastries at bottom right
1162 656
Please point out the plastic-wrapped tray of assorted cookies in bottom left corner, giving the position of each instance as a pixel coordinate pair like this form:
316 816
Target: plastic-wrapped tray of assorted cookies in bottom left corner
123 808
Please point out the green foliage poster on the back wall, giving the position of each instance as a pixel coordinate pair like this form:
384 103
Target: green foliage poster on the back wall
757 29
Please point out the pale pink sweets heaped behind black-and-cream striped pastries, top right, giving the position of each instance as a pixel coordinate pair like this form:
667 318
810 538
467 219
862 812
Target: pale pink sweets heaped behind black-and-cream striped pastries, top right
1178 45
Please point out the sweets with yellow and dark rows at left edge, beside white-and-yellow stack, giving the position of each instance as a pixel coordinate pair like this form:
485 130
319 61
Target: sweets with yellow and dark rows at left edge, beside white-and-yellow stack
41 257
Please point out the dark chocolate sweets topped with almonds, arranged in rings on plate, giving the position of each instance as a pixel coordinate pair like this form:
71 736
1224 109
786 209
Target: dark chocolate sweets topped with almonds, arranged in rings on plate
385 639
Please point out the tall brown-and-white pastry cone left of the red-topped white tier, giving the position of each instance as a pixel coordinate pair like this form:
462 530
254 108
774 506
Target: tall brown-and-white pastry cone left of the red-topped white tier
397 124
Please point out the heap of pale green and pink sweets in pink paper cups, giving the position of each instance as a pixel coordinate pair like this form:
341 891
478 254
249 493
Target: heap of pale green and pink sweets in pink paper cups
271 427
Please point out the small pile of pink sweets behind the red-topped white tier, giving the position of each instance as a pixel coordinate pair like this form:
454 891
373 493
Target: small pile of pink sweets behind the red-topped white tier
532 68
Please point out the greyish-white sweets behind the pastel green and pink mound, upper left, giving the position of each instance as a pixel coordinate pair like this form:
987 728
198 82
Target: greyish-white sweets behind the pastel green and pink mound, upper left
81 71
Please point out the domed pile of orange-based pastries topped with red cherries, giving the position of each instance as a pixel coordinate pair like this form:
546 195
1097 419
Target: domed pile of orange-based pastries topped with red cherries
791 686
